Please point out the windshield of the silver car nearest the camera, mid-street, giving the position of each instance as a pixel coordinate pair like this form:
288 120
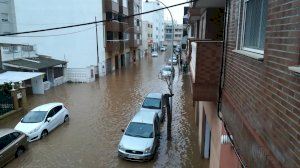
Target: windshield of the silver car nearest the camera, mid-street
141 130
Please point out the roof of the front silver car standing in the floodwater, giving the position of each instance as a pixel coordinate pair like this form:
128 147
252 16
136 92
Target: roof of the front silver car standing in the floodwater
144 116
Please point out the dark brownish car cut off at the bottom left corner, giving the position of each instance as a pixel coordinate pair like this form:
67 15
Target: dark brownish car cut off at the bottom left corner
12 144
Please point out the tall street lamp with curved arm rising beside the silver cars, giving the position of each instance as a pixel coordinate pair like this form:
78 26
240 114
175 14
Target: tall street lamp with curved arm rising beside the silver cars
170 84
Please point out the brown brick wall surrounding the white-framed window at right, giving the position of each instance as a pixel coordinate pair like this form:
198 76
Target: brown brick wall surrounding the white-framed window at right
262 98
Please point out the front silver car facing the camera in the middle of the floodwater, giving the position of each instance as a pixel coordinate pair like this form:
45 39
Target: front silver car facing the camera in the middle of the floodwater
141 137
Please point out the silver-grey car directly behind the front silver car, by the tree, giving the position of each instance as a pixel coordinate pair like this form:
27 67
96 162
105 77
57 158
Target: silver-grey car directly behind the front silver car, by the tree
153 103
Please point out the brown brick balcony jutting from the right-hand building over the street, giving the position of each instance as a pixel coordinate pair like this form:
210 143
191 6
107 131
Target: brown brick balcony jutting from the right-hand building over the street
205 68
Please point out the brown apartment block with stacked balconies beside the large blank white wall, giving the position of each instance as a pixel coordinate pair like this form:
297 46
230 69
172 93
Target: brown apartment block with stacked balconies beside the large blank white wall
117 52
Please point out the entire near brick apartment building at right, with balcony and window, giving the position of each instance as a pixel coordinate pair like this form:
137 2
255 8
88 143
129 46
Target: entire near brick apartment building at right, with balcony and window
245 81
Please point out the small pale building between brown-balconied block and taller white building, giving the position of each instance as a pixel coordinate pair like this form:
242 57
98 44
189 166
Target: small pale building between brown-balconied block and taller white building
147 36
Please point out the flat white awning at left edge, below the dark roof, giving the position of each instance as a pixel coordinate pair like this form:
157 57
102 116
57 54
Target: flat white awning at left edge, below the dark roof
14 76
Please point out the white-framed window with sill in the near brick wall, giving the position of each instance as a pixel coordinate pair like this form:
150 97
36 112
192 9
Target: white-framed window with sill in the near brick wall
254 25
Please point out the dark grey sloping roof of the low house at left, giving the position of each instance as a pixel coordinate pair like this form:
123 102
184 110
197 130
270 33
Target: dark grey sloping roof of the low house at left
33 63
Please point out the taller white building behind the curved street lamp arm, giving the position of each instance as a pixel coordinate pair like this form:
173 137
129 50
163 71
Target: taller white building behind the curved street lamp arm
157 19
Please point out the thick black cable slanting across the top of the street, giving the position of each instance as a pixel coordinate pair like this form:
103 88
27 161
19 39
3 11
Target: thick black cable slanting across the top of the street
94 22
